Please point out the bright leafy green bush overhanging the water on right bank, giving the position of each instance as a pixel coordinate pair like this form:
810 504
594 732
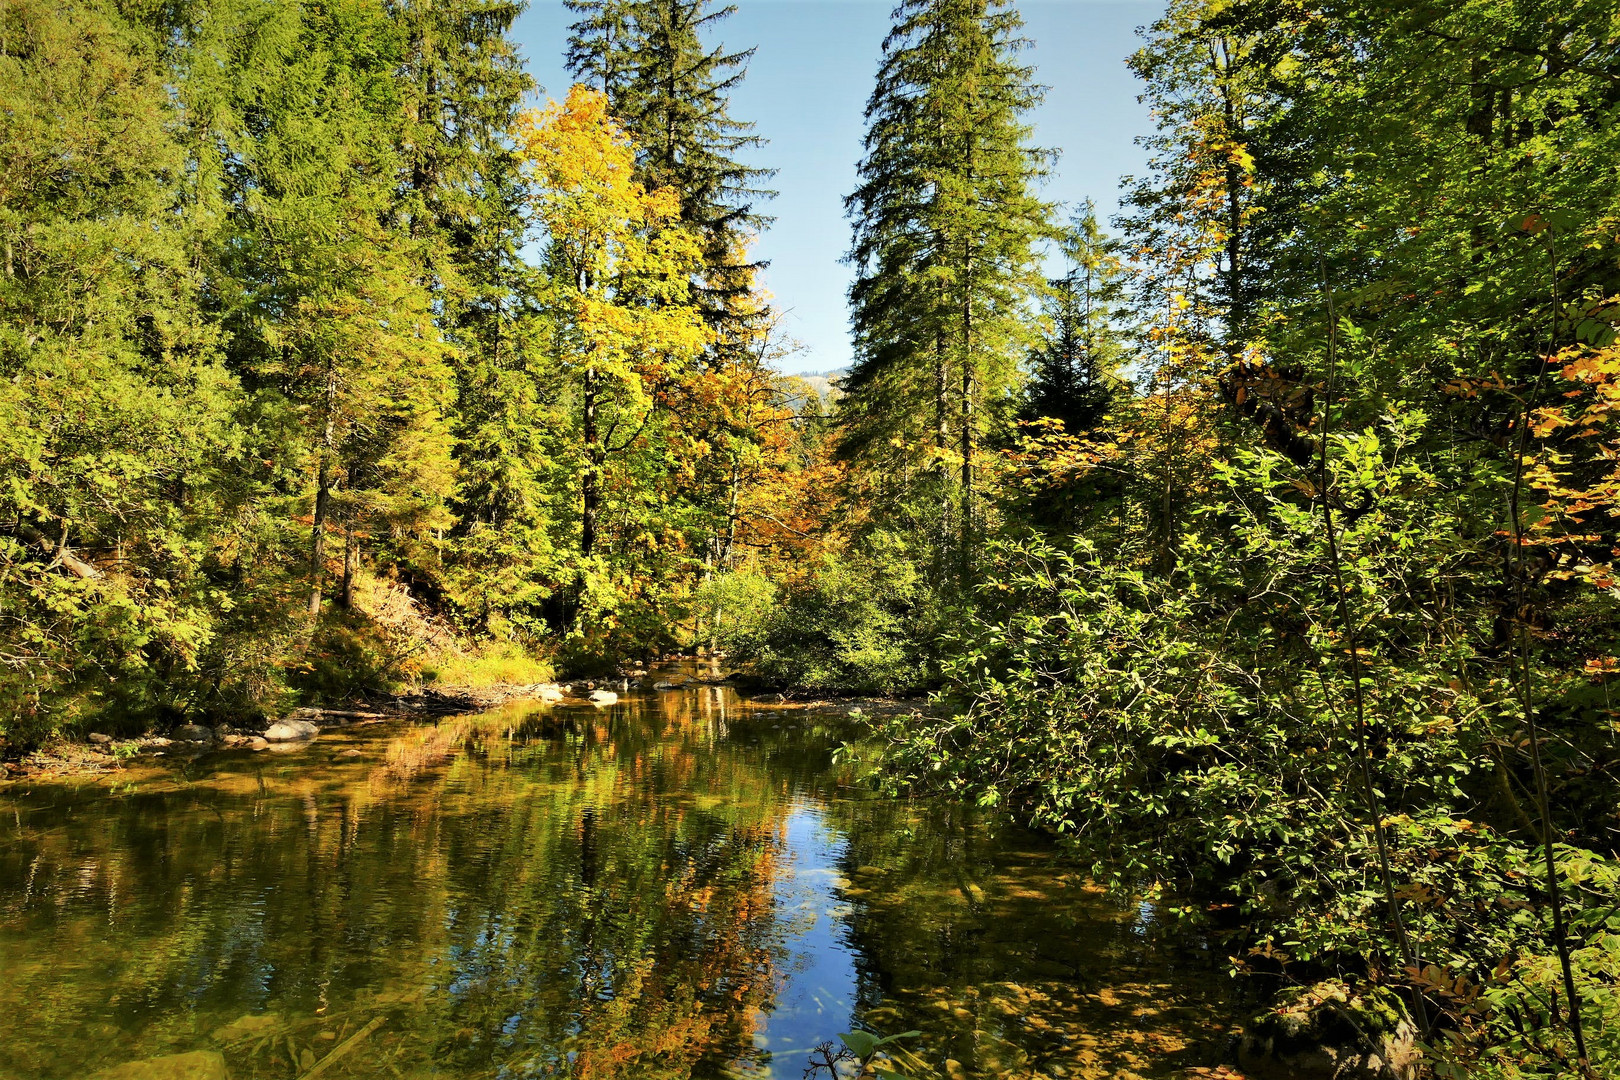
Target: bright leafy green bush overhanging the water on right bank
1195 733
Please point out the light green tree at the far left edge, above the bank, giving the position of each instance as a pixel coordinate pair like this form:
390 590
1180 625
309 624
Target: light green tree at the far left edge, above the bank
114 410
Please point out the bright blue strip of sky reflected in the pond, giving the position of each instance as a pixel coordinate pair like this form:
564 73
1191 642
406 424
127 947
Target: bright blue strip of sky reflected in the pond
819 974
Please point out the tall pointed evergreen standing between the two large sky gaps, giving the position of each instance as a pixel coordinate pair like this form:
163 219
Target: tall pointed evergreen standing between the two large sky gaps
947 229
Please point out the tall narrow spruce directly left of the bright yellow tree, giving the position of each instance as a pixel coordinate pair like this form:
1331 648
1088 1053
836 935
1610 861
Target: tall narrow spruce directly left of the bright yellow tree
463 200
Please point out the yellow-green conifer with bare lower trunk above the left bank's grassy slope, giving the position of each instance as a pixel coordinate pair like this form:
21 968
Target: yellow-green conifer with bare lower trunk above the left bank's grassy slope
338 321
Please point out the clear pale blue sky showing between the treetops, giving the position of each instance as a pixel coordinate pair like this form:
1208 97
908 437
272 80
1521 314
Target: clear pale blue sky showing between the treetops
806 91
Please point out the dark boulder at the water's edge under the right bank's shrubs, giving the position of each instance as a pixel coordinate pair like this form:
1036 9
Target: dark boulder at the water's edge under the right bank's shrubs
1329 1032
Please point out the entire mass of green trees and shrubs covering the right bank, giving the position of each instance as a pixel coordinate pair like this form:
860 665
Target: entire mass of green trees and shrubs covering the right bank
1329 660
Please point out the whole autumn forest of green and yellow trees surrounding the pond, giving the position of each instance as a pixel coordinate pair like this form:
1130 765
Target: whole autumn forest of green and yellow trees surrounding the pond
1258 543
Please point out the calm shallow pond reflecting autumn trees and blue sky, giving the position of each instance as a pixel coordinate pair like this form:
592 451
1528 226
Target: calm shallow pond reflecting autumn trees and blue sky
681 885
